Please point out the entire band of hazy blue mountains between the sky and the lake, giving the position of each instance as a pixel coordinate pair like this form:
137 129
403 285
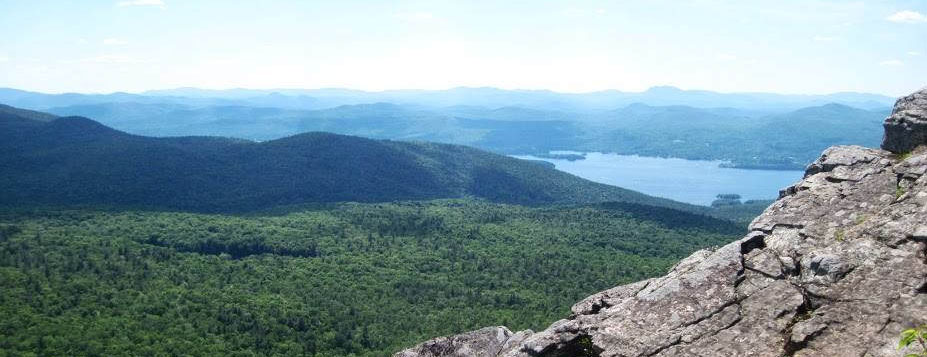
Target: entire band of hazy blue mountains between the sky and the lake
751 130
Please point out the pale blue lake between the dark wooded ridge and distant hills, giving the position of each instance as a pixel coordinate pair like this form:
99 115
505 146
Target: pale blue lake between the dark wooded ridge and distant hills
691 181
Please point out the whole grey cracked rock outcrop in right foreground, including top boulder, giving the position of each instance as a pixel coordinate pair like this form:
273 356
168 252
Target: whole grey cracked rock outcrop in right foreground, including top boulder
836 267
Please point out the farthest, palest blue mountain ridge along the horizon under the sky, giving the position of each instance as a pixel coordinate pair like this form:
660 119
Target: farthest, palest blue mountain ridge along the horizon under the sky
482 97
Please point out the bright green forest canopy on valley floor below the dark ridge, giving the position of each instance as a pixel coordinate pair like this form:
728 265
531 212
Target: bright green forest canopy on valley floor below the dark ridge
354 279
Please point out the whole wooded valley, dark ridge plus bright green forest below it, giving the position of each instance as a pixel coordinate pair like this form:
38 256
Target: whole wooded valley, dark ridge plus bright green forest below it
316 244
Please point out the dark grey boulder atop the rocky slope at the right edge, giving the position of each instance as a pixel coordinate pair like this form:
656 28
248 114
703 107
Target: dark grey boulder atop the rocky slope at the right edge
906 128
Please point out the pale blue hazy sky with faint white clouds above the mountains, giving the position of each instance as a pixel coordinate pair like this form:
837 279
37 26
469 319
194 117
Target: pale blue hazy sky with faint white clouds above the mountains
783 46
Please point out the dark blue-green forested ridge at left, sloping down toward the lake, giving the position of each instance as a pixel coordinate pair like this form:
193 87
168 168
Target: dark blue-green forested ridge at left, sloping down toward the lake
77 161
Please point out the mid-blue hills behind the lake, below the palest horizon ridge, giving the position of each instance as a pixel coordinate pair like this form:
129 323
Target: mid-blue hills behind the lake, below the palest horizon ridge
786 140
